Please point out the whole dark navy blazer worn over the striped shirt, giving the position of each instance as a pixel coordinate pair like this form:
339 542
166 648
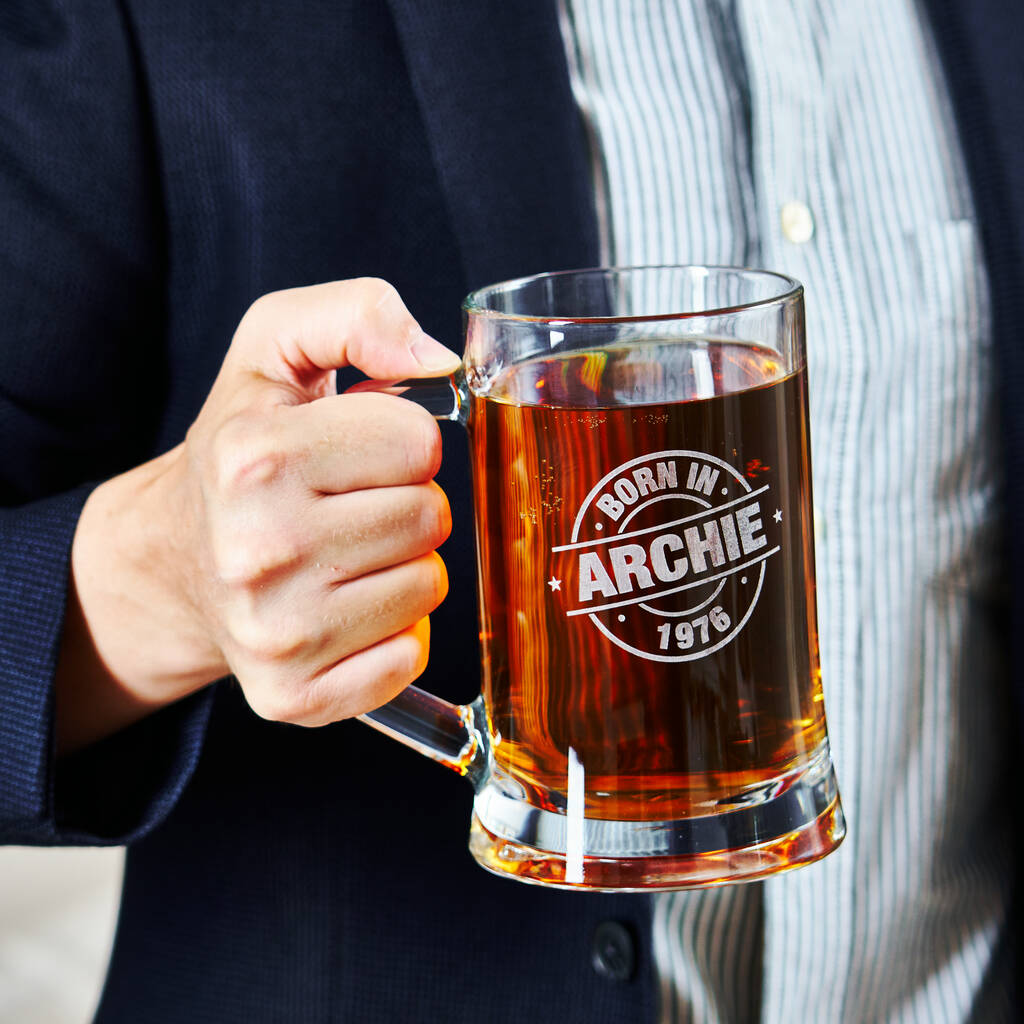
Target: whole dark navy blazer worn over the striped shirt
161 166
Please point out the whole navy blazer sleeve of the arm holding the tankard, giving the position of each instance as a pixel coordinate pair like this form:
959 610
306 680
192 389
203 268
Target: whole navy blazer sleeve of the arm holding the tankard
82 358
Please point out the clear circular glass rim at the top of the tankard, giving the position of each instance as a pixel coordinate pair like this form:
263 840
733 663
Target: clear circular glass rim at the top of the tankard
474 305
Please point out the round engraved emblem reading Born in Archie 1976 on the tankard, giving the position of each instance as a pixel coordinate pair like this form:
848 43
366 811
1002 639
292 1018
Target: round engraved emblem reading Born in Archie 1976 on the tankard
668 554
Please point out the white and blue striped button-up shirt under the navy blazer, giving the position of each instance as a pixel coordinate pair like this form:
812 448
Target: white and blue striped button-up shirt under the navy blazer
815 138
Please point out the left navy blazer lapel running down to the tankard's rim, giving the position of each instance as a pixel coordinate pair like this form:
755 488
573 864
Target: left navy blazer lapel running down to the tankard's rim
507 141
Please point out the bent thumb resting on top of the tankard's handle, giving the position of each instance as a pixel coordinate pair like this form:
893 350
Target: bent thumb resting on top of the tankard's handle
301 335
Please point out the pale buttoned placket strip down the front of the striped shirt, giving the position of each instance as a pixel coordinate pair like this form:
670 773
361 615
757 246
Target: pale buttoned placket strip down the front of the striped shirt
802 233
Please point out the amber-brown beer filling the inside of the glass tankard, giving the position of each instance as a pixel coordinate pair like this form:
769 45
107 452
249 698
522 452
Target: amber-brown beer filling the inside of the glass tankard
648 582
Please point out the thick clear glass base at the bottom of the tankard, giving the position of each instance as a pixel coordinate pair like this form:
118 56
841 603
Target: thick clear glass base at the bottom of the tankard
794 824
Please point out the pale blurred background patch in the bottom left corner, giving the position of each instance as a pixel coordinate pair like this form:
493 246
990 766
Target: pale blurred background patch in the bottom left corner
58 913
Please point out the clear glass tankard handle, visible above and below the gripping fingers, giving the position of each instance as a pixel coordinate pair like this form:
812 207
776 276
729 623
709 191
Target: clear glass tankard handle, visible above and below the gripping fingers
455 736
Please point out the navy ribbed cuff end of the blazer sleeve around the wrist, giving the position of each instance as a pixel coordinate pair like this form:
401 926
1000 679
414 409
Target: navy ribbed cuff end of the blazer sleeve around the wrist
115 791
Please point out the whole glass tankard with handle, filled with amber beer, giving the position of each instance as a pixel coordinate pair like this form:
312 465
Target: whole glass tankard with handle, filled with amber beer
652 714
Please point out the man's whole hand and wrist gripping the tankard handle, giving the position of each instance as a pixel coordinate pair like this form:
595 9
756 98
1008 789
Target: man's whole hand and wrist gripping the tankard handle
290 540
